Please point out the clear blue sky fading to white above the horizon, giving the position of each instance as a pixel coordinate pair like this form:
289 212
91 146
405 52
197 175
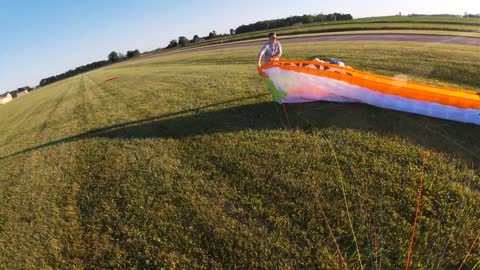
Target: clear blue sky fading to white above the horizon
39 39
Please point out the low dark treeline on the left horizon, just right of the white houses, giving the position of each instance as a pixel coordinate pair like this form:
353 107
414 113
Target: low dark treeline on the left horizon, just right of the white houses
113 57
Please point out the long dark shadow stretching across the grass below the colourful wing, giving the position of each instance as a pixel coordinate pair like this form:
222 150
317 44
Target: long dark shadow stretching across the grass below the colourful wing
441 135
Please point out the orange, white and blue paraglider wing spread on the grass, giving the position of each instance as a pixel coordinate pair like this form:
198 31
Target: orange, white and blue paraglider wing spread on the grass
307 81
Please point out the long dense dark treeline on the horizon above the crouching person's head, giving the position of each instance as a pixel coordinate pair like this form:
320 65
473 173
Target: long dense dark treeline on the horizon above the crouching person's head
294 20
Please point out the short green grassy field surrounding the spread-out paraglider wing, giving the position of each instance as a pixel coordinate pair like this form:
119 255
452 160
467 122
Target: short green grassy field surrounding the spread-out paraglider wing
185 162
